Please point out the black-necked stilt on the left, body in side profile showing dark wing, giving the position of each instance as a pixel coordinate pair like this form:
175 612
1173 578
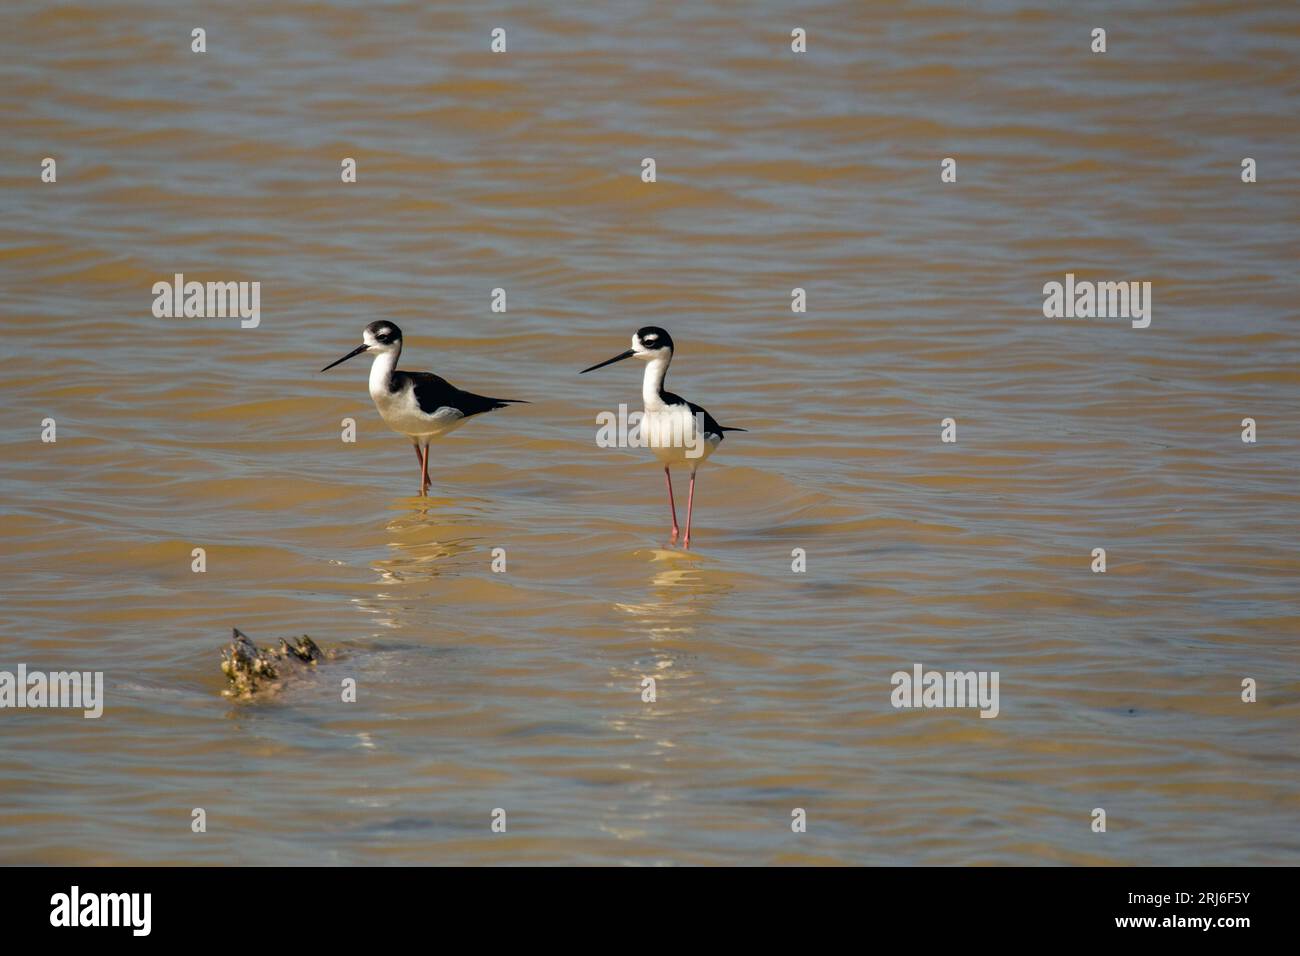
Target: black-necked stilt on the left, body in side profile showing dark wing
419 405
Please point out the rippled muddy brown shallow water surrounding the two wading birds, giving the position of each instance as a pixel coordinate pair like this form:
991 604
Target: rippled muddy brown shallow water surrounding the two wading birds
522 690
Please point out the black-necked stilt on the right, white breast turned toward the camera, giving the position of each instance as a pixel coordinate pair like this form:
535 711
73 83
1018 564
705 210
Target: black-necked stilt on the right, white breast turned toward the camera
679 432
